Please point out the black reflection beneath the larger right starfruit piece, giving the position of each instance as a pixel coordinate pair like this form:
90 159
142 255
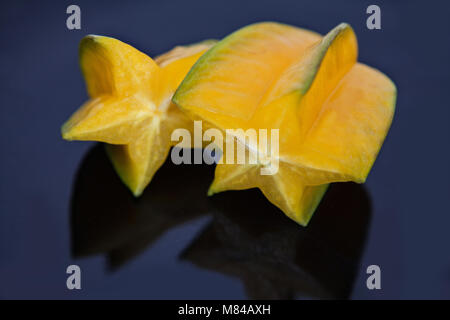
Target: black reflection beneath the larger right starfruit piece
273 257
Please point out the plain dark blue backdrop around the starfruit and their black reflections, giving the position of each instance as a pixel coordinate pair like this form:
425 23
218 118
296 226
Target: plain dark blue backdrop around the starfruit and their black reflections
41 86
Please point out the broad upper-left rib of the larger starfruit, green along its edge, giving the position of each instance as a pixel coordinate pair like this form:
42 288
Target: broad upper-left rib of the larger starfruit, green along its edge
231 78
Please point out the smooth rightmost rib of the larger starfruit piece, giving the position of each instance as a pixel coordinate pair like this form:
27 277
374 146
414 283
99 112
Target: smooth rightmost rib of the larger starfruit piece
347 135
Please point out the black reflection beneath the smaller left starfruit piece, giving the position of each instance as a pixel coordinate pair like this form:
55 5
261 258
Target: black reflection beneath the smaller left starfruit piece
107 219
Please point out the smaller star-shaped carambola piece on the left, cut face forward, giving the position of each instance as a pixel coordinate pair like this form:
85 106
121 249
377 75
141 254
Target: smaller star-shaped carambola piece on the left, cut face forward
130 106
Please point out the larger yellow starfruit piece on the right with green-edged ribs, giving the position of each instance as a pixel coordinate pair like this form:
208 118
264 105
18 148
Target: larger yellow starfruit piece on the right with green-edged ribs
332 112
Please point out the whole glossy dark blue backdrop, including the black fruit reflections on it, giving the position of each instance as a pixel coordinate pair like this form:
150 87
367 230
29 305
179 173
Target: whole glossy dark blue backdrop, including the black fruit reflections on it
61 203
